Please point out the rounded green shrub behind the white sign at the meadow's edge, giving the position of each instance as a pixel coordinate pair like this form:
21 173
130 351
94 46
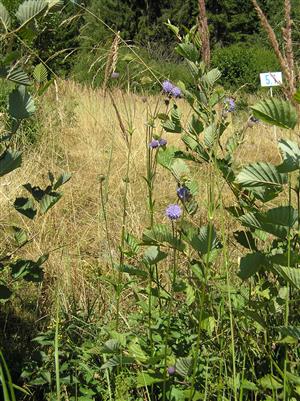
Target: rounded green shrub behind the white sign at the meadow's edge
241 64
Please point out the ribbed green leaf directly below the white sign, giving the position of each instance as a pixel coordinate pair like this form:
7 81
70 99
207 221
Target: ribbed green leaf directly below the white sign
276 112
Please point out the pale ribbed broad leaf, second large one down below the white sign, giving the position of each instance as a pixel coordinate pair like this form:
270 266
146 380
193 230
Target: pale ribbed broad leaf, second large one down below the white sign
261 174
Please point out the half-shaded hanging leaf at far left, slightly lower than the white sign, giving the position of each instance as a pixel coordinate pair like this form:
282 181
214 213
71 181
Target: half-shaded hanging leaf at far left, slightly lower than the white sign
21 104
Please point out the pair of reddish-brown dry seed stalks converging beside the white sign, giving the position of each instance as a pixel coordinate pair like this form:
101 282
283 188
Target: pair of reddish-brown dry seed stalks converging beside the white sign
286 60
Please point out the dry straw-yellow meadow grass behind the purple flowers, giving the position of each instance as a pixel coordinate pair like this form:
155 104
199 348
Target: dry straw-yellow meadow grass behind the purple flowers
82 135
